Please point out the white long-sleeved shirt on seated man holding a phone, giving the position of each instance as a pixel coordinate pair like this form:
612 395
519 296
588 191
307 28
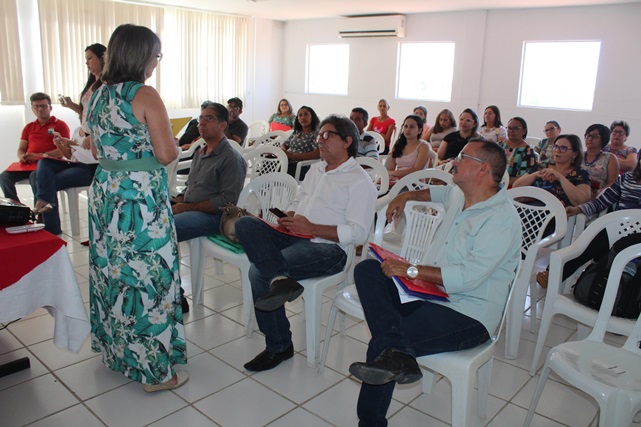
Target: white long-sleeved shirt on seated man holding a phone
345 197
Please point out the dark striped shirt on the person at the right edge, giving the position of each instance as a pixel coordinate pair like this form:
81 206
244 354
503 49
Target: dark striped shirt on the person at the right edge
625 193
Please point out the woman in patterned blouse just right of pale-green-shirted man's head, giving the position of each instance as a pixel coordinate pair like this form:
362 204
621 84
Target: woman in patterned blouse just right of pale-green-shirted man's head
520 156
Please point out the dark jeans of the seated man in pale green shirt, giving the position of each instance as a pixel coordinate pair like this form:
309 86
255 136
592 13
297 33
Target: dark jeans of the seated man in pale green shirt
417 328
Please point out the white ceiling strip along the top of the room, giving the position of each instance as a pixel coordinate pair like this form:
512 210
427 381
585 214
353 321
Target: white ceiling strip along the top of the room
286 10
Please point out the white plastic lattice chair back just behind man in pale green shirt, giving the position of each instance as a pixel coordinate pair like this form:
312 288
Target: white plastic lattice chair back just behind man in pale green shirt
537 208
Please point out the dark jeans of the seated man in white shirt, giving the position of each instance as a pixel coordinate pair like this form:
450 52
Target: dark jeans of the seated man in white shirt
274 254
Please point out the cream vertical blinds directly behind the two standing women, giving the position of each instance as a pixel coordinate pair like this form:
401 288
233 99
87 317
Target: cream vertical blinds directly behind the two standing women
67 27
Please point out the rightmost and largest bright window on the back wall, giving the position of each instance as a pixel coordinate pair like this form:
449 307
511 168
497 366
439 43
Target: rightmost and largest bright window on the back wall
568 84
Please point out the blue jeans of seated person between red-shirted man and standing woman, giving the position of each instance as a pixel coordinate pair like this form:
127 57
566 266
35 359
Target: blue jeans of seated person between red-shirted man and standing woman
53 176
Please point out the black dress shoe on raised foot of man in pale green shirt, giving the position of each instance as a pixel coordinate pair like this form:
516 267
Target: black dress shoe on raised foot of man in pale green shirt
390 365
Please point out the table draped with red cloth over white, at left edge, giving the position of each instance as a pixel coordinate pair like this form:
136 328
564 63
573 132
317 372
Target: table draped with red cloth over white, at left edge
36 271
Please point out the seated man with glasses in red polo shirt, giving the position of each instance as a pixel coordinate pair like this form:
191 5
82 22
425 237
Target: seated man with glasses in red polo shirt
35 143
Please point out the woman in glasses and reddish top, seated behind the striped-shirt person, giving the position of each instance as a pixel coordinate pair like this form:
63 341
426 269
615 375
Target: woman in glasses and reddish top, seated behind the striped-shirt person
602 167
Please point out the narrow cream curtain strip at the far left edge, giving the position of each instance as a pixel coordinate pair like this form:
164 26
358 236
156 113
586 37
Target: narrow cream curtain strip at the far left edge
11 91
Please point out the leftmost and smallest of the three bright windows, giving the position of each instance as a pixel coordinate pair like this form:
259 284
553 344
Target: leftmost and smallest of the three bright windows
327 68
